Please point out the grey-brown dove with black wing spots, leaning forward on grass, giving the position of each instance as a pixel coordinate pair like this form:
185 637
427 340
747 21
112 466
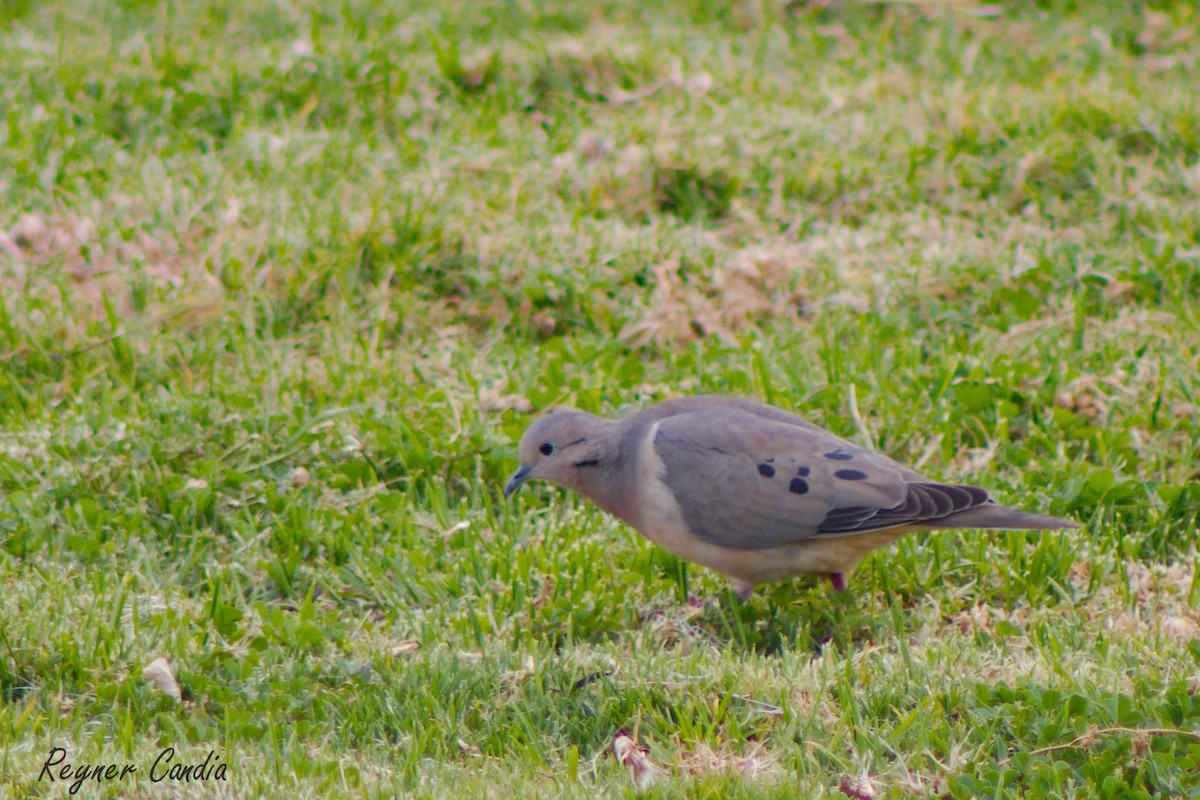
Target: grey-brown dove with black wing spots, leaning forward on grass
751 491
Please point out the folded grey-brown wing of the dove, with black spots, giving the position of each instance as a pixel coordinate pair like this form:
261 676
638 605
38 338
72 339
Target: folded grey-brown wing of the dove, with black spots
751 483
